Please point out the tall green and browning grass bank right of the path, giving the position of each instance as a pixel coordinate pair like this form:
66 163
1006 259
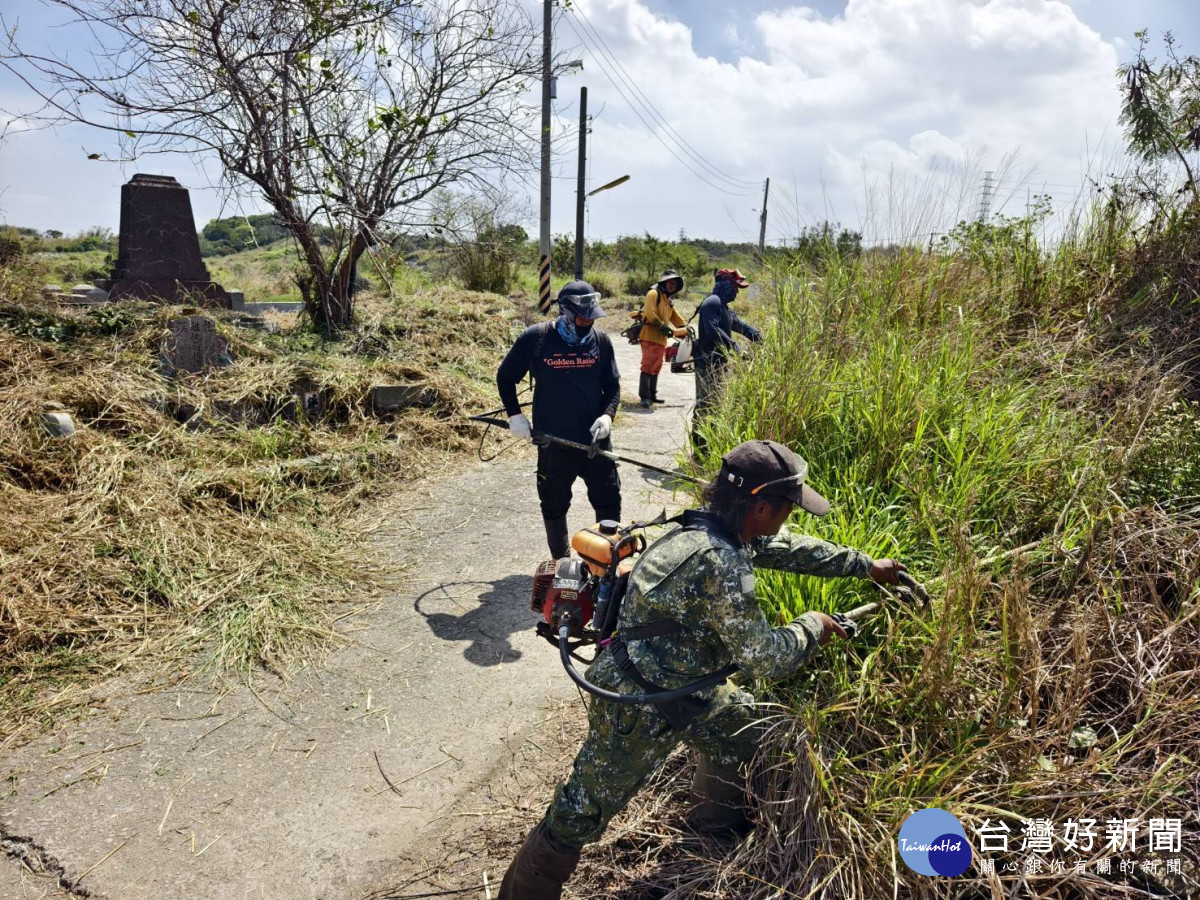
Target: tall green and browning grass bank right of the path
992 418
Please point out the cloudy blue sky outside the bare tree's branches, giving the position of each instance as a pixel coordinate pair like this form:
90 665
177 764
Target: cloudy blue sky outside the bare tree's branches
881 115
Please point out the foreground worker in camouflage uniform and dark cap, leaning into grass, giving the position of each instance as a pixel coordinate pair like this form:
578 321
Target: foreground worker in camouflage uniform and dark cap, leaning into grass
691 610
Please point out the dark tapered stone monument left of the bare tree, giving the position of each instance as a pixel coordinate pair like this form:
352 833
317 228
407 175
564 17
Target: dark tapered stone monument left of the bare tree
159 253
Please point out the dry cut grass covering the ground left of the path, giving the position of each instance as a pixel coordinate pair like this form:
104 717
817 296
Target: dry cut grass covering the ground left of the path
189 512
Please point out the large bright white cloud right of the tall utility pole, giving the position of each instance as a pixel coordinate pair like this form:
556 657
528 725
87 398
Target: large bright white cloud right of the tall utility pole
890 85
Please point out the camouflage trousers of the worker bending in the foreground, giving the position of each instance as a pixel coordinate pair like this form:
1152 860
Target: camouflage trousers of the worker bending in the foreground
626 745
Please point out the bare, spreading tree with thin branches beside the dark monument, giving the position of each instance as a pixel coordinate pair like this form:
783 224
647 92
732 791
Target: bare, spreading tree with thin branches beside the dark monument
346 116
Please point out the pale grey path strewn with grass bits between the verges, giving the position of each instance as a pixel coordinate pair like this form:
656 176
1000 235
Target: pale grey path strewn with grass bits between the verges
283 790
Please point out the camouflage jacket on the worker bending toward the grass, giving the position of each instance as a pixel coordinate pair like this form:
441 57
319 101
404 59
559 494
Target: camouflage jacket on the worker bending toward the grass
706 583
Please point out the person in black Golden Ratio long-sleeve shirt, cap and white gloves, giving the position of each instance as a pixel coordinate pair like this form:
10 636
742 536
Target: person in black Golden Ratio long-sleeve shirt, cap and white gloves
577 392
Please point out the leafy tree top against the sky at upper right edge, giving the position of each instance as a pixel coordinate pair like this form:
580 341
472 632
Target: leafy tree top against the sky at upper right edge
1161 111
